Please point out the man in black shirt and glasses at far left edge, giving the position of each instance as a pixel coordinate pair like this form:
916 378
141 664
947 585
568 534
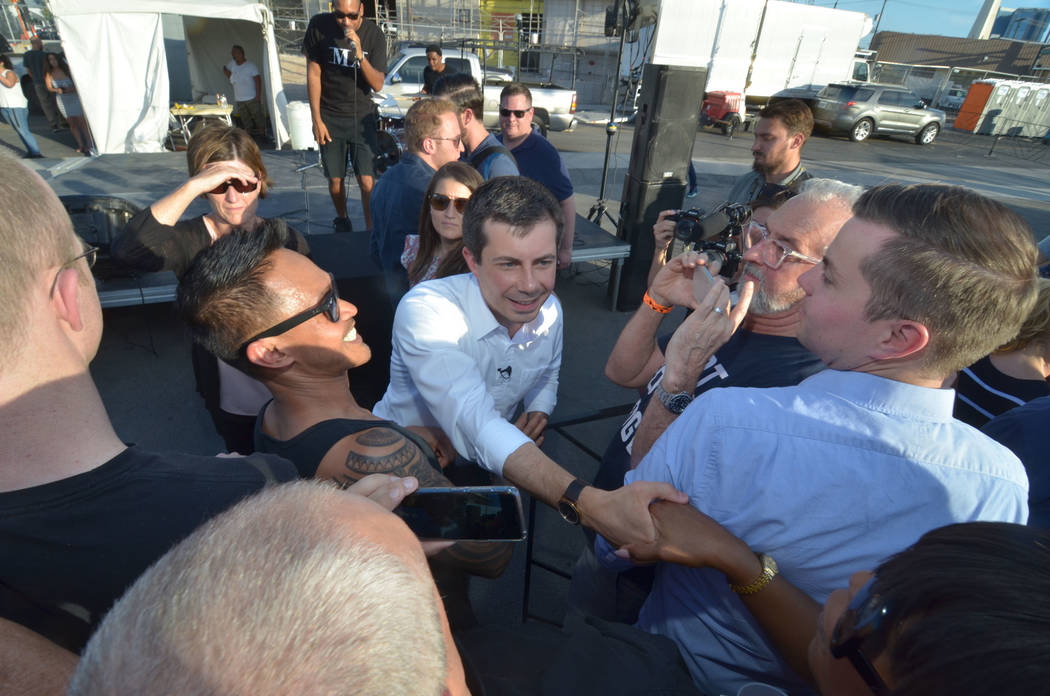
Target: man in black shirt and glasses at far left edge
82 515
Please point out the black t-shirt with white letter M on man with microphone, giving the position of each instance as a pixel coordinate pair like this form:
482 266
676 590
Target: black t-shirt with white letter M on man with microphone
345 92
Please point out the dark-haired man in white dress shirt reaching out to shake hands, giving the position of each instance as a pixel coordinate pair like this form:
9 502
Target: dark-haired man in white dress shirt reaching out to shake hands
470 350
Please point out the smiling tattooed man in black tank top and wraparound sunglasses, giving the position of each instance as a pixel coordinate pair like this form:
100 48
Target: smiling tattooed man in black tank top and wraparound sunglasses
278 318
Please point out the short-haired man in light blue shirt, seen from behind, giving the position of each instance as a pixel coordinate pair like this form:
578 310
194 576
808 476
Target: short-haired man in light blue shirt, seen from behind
857 462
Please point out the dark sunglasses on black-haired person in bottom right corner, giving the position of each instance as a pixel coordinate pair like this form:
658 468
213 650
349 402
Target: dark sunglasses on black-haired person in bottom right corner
865 621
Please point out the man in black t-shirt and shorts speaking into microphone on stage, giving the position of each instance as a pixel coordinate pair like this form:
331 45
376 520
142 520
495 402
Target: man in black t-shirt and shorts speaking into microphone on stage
346 62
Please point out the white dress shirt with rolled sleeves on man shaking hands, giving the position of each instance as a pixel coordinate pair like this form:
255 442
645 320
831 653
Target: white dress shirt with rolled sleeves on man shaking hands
453 366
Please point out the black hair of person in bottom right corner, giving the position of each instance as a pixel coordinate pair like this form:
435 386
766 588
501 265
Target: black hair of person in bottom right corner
969 603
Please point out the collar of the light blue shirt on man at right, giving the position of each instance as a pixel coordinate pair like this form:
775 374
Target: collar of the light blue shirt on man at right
886 395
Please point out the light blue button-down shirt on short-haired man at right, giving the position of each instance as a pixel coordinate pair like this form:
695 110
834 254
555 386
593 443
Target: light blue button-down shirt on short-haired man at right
829 478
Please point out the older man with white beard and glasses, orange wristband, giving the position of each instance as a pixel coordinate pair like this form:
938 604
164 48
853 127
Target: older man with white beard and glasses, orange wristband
754 345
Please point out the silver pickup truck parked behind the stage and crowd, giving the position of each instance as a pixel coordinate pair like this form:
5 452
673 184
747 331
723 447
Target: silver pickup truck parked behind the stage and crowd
555 108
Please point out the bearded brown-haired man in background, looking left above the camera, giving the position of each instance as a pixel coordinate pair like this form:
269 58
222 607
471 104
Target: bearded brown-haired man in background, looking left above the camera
782 132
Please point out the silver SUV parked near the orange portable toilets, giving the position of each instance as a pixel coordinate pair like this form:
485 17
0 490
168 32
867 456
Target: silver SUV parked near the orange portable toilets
862 110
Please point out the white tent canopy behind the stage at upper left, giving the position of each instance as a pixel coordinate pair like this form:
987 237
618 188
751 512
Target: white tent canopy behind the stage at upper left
116 53
